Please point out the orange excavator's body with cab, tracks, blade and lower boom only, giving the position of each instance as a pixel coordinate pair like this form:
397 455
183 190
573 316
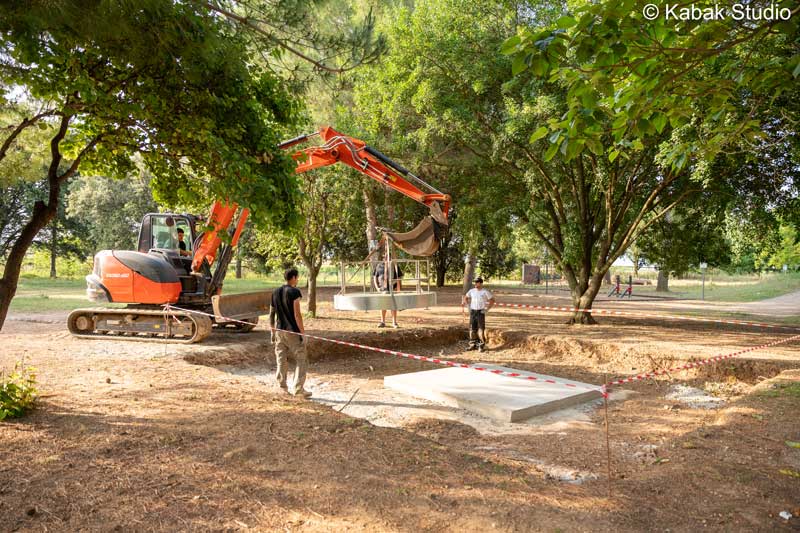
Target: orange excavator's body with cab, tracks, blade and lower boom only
166 269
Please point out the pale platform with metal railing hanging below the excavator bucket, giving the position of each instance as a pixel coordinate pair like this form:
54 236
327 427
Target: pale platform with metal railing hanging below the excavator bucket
378 294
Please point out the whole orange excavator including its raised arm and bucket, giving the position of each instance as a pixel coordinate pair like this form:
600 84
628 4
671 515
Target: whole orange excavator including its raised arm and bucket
169 269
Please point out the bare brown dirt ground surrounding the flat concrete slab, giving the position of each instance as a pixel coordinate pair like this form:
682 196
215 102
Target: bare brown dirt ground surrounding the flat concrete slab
135 437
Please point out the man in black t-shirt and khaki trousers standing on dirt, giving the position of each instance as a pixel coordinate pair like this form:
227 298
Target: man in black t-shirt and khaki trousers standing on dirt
286 305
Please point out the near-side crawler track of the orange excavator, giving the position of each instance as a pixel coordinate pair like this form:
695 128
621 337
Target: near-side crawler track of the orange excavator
148 325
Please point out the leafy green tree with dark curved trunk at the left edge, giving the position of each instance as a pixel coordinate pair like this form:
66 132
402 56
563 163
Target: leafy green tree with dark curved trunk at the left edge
167 80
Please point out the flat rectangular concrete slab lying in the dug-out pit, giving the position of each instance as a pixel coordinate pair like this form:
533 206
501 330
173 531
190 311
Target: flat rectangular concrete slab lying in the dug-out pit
499 397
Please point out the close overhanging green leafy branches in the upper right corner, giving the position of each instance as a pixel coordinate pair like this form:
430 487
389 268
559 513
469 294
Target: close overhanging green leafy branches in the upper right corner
631 79
